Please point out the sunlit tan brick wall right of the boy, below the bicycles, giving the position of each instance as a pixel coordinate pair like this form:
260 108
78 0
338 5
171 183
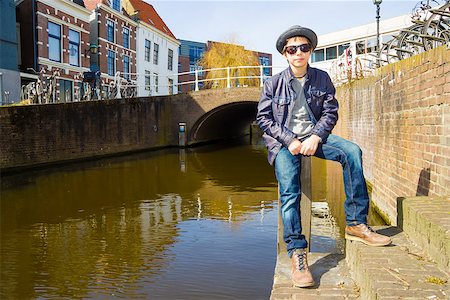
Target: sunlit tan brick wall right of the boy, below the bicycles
401 120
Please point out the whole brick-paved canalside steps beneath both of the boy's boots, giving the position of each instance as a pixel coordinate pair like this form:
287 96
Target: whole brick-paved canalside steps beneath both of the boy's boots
398 271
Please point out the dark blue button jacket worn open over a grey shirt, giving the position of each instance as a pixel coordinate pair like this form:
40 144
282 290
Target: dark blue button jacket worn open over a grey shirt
277 101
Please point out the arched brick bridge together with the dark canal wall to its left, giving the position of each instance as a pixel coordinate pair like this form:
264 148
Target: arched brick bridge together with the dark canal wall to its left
33 135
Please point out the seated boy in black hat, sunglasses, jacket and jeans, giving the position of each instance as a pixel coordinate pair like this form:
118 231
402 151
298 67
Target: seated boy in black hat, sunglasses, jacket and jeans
297 112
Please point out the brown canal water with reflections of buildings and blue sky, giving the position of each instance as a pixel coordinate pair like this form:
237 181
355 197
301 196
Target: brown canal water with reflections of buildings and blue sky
147 224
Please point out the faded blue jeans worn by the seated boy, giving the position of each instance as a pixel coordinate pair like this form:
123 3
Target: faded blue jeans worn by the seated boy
287 171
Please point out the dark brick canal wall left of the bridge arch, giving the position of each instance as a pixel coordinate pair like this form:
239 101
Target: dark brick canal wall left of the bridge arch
37 134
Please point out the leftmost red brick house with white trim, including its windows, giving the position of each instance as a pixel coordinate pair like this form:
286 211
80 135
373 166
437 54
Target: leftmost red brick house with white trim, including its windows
53 43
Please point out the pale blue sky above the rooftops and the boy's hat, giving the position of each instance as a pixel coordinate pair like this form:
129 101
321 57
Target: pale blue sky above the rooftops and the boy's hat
257 24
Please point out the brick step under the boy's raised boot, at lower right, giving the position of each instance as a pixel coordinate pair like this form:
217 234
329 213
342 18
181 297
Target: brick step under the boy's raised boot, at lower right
404 276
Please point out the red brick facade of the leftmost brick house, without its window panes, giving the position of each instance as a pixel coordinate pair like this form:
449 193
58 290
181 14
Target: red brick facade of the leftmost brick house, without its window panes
35 53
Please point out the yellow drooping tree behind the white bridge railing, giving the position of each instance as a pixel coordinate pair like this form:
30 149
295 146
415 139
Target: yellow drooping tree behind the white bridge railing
223 55
